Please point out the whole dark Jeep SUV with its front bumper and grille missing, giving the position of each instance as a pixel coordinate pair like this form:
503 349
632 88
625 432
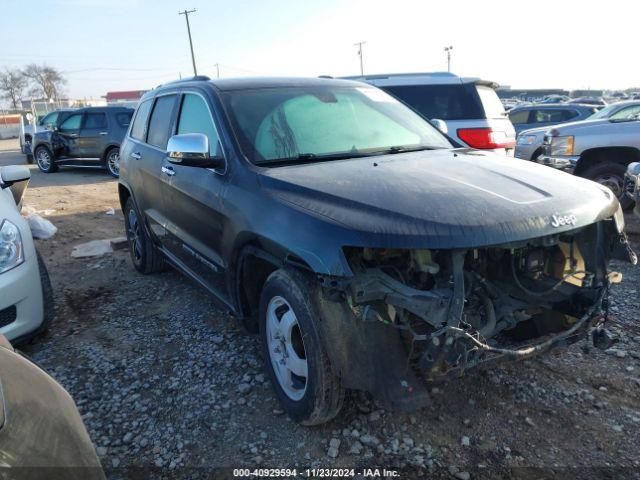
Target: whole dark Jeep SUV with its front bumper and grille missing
367 251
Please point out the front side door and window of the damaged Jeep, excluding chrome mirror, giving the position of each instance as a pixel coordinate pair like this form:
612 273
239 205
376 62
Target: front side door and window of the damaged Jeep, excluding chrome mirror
195 222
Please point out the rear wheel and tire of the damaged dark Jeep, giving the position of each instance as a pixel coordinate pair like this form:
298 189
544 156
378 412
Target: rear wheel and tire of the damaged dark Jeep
145 256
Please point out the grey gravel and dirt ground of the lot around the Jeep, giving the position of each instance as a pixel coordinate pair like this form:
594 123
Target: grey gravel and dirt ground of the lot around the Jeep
168 384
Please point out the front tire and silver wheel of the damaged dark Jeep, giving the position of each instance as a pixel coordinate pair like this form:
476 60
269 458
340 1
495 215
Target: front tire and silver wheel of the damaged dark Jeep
287 296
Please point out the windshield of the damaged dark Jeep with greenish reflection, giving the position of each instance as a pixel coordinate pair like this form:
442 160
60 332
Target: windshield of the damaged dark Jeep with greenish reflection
308 123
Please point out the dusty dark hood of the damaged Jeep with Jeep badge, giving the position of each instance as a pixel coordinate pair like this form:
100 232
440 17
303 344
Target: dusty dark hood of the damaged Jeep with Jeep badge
439 198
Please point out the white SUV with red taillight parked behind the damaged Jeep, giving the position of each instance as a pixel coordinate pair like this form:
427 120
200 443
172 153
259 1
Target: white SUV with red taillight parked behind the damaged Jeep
469 107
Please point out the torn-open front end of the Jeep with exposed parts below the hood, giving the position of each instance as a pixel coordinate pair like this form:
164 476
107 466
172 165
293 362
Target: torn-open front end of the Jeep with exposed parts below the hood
416 315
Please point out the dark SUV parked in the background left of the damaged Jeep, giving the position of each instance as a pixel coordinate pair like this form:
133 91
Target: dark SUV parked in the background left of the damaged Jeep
89 137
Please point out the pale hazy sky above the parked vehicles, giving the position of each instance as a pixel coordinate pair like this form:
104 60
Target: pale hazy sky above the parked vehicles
110 45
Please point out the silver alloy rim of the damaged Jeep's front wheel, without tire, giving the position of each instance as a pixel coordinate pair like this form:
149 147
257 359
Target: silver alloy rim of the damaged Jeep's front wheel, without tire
286 348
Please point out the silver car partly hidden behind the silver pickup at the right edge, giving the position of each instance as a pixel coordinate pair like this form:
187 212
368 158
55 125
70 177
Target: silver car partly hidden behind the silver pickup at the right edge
529 142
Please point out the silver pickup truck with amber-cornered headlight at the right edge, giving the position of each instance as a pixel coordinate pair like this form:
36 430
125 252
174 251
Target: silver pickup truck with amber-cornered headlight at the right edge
599 151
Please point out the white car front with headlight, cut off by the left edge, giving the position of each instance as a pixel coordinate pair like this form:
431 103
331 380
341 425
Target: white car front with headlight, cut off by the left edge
26 297
